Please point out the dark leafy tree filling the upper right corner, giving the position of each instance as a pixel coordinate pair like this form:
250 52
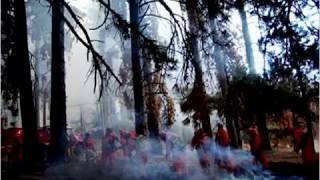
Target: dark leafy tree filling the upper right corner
297 44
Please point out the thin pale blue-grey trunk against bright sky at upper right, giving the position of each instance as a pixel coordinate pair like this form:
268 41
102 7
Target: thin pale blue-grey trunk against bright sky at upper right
246 36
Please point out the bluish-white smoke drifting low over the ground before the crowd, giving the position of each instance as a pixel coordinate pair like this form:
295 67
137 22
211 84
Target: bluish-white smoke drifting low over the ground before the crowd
144 163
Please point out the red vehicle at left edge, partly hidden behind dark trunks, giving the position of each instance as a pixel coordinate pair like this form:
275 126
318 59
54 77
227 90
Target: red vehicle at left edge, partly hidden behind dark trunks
11 142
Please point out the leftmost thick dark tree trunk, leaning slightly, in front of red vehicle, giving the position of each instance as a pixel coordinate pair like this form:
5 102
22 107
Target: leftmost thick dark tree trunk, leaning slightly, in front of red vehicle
28 113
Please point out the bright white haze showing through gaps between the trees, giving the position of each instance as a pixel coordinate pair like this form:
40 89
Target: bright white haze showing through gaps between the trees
80 89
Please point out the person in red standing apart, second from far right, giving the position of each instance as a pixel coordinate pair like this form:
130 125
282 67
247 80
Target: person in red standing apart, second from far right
256 145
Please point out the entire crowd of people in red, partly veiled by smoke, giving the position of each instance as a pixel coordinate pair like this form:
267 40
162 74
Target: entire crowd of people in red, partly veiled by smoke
211 152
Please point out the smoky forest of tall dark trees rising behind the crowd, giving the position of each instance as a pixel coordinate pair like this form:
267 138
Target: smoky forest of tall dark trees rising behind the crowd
204 68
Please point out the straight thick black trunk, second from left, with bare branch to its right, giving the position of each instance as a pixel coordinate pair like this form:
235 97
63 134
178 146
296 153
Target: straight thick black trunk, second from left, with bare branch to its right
58 122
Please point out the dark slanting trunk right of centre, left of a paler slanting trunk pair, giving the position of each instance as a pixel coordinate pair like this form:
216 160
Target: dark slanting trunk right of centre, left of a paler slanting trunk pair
196 62
